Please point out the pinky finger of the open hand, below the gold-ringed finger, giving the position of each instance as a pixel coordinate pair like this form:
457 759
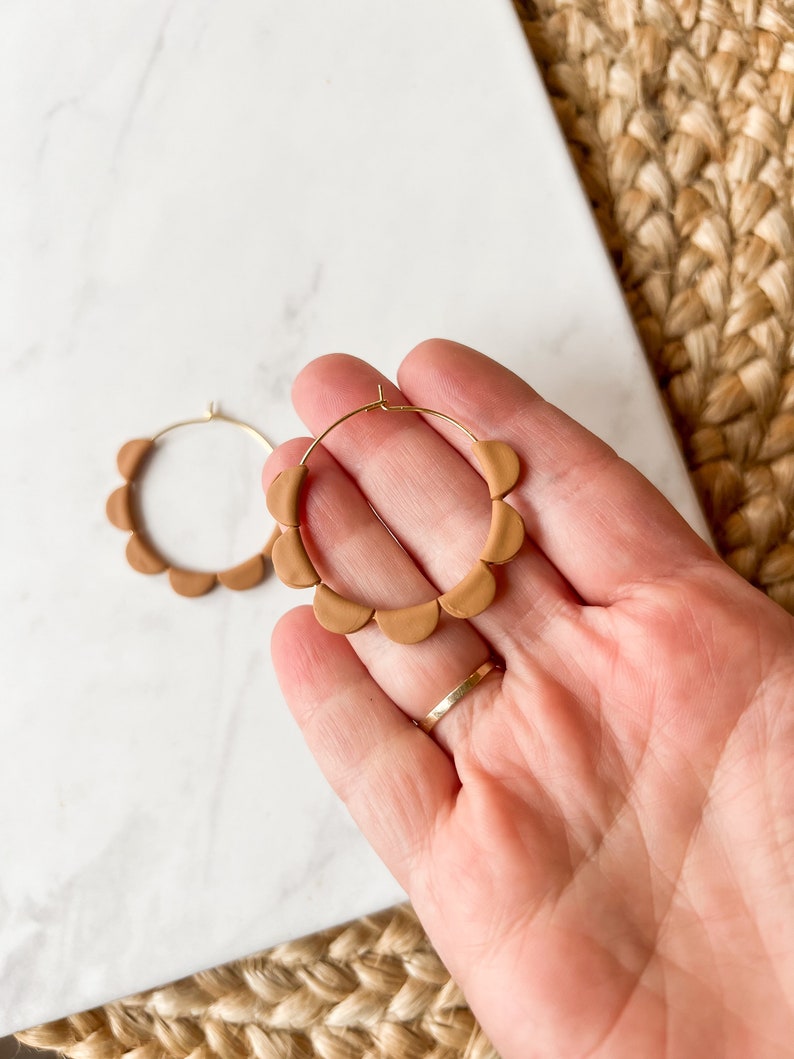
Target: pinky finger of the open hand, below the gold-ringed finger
398 784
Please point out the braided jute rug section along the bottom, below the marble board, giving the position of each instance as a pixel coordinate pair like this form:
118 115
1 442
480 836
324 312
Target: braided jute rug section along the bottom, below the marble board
373 989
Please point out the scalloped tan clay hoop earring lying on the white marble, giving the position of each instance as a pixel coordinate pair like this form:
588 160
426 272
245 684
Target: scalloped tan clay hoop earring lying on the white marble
123 511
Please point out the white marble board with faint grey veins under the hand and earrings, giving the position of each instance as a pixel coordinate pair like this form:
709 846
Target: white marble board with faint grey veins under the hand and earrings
198 199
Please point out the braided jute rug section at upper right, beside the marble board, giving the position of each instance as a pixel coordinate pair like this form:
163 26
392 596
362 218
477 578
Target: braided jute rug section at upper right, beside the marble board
679 119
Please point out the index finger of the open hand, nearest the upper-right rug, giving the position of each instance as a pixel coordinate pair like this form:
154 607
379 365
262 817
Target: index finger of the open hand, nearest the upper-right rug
600 522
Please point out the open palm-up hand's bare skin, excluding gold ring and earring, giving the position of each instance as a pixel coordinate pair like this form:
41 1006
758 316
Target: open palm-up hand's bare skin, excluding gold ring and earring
600 841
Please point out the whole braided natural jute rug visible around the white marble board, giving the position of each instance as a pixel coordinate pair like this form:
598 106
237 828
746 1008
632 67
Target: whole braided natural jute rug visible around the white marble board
679 119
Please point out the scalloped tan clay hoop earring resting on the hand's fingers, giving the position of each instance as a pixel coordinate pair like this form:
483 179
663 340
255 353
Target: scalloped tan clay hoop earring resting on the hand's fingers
407 625
